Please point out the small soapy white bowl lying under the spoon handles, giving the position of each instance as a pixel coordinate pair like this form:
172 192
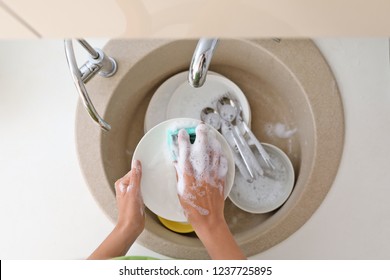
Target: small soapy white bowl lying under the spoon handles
269 192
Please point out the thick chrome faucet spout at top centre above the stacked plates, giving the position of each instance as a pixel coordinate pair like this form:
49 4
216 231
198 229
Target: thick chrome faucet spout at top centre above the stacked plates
201 61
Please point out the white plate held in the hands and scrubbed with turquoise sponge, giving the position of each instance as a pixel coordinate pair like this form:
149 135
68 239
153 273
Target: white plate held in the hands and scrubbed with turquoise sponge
158 183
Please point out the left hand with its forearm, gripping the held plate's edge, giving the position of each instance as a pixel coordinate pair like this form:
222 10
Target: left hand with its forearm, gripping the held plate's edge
131 217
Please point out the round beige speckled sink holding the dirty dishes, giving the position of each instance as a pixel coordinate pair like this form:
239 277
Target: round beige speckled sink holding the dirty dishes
295 104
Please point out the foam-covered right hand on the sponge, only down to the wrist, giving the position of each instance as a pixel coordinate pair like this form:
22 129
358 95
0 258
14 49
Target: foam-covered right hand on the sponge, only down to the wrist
201 170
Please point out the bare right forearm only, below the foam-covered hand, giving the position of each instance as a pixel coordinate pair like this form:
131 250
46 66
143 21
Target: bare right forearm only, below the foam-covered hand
220 243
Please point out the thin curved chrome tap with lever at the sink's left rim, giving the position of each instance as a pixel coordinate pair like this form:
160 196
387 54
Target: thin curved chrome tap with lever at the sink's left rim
98 62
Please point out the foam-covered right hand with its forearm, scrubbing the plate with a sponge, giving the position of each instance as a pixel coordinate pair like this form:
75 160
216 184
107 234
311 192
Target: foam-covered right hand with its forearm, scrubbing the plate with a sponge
201 170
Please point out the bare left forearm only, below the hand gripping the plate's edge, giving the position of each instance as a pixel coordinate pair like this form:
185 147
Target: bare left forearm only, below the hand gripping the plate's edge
117 243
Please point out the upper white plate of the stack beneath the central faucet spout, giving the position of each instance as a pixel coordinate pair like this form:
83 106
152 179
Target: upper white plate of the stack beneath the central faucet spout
188 102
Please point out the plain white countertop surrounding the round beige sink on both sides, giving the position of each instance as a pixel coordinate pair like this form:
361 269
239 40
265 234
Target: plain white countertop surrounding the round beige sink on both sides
47 211
